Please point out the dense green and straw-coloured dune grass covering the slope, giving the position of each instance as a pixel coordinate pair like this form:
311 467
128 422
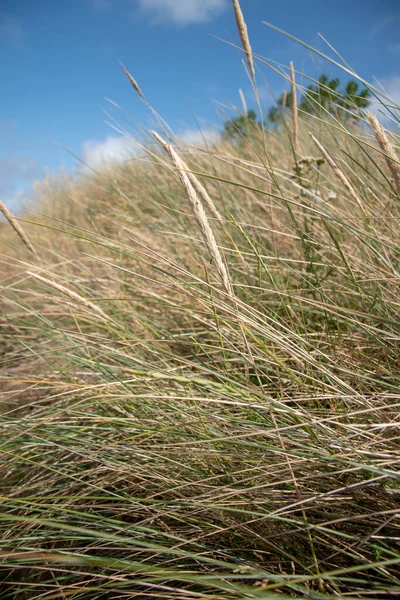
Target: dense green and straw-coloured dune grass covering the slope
200 373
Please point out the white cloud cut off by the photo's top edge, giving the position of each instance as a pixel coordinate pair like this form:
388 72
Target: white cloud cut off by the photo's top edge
182 12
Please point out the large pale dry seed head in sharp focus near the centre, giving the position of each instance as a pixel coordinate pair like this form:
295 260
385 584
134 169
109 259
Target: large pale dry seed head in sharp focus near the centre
198 212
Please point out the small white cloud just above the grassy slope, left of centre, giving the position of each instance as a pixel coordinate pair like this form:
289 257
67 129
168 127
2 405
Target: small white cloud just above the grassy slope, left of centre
114 148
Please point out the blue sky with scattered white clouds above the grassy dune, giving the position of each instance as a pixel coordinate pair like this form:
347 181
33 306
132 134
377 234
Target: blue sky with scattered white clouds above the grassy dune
60 63
